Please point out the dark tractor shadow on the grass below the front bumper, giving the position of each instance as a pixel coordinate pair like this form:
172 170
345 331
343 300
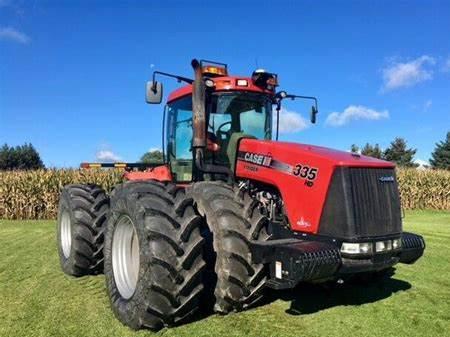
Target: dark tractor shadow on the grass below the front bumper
311 298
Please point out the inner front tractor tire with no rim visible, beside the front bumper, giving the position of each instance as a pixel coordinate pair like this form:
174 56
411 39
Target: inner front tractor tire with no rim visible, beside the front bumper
234 219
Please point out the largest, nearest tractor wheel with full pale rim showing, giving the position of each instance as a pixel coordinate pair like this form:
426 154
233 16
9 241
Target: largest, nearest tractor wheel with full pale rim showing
153 255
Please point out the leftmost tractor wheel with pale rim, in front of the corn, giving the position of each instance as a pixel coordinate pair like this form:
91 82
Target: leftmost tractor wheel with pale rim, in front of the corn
82 215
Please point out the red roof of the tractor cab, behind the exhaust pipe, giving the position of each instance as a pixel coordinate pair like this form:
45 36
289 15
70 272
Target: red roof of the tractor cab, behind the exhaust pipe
225 83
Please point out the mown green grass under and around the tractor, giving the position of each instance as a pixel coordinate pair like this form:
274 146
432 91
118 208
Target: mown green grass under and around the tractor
37 299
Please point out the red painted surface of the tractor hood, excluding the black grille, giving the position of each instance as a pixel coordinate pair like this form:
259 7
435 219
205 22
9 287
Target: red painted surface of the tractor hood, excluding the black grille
303 204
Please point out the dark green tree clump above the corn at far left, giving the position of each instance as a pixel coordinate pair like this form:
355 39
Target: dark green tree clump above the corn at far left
22 157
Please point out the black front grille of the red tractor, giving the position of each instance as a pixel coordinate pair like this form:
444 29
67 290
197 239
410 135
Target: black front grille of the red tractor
361 202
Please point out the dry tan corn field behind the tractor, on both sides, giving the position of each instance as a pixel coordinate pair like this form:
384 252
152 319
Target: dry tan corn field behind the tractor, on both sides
35 194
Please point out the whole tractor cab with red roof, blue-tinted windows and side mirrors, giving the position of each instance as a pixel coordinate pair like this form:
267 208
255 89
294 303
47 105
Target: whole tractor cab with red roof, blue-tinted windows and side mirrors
232 108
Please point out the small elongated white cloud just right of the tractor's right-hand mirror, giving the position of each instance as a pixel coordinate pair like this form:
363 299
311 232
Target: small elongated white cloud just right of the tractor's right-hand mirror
355 112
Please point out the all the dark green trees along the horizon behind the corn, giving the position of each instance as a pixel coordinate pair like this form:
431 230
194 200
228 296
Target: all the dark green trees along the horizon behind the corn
25 157
